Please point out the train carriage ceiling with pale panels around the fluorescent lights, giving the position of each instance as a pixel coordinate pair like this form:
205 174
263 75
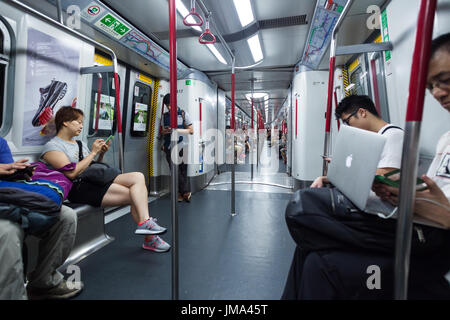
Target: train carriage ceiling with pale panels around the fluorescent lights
282 26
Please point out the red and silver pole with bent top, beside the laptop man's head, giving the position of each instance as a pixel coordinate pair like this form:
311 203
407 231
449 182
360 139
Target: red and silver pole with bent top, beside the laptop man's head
333 45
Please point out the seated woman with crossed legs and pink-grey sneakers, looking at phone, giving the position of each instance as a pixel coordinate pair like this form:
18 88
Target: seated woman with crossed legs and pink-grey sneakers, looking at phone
126 189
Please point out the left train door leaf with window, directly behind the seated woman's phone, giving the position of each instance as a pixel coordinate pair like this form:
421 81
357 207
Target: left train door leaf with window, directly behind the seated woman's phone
102 120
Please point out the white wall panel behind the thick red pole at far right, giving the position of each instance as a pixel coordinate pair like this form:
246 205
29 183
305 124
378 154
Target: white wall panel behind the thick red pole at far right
401 32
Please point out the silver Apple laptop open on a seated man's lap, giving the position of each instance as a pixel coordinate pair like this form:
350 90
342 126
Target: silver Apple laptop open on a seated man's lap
355 159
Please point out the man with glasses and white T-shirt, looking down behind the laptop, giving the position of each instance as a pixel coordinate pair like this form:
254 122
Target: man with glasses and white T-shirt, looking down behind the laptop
360 112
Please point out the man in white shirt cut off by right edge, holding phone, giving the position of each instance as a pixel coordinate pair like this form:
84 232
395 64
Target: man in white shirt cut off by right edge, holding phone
434 203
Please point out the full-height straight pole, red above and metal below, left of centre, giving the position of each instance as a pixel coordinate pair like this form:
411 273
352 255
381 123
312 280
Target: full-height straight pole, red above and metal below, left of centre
173 125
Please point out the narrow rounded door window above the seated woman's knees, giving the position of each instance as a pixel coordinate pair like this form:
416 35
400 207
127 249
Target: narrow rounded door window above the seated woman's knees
140 112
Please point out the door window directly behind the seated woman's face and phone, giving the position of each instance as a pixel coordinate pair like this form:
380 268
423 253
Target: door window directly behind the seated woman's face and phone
102 120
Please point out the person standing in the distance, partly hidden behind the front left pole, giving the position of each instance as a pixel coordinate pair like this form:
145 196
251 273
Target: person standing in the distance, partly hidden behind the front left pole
184 126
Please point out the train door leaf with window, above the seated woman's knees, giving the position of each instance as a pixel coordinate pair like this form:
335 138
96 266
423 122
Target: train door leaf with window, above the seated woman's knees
139 104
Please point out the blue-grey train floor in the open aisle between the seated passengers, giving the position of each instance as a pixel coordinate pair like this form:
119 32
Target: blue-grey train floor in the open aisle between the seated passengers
221 257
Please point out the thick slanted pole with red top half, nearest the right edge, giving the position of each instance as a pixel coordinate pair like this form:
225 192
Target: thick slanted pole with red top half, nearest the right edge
419 70
